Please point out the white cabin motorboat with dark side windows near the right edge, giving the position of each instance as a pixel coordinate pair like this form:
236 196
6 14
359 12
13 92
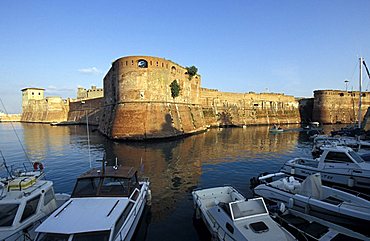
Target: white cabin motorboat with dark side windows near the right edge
338 165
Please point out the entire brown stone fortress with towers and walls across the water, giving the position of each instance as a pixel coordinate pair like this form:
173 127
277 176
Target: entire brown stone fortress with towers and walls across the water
137 103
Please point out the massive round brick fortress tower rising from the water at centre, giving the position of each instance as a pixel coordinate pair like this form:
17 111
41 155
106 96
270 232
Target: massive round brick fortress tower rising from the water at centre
138 103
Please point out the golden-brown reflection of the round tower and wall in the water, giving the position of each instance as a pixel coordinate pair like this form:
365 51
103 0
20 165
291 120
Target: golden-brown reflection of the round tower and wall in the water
175 167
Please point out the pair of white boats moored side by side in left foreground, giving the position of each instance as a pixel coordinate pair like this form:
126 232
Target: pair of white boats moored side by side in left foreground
106 204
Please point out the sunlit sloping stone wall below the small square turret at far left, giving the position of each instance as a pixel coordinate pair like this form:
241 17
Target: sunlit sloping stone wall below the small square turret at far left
48 110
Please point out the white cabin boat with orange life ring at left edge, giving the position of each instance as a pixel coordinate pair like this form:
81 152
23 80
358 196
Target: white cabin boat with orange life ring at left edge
25 200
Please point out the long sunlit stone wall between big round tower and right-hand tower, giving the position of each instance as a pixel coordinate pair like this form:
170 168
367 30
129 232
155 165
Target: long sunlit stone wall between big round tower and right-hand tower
237 109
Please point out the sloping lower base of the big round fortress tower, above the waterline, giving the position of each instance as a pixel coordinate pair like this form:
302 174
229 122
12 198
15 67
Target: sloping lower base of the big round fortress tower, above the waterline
147 120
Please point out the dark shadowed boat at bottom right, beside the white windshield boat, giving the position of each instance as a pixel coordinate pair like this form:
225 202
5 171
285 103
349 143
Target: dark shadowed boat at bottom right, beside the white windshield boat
308 227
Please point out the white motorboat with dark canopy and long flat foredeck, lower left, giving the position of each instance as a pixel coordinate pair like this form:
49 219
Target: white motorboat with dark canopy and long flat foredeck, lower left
106 205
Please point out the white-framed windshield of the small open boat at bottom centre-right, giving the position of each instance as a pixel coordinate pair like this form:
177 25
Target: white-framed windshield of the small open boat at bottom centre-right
249 208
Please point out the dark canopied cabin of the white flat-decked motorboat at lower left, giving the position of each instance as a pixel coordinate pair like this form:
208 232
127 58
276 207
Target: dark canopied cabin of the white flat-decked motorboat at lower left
109 182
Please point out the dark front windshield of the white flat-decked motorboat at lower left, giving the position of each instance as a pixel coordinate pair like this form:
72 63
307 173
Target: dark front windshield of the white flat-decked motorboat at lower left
102 187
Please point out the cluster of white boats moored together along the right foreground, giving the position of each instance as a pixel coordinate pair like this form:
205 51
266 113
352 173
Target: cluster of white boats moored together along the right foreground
322 198
